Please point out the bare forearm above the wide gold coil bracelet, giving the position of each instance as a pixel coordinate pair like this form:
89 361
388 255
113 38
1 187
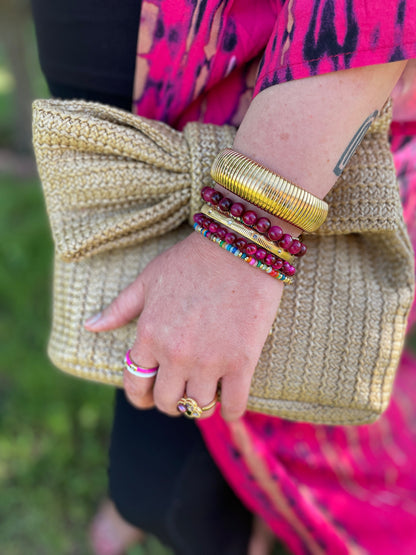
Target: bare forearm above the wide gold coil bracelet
304 130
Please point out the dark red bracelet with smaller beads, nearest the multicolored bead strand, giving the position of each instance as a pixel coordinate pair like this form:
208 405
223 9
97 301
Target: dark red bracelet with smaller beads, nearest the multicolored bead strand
250 249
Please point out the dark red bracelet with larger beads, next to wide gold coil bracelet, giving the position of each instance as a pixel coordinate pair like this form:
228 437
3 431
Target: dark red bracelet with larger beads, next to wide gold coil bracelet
249 218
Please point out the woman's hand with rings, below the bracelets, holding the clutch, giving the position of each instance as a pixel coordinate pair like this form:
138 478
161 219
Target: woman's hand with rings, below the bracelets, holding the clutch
204 316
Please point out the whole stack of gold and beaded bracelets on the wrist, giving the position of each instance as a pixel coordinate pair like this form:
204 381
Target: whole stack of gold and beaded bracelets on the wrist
239 229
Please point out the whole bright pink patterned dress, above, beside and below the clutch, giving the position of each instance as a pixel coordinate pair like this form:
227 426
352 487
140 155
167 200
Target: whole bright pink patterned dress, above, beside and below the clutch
322 489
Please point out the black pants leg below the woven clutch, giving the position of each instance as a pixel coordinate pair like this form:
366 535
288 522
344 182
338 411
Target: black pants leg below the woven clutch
163 479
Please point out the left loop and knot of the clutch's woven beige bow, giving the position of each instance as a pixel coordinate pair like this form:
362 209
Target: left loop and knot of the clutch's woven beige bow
112 179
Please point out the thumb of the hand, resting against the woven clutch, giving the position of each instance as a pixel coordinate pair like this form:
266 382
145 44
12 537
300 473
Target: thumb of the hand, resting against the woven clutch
121 311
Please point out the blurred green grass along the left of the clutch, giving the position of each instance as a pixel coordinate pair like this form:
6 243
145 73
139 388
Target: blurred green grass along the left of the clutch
53 429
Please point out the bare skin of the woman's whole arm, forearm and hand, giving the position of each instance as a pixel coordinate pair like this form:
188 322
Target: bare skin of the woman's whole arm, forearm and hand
203 315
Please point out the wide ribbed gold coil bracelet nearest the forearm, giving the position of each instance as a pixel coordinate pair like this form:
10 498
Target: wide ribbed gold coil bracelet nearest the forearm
268 190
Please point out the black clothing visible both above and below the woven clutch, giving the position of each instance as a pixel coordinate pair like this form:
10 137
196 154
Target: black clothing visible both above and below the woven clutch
161 476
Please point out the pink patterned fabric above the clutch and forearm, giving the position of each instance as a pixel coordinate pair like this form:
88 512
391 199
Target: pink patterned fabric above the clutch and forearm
198 59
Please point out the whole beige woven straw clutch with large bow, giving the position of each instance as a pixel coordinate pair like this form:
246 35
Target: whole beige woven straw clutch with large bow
119 190
